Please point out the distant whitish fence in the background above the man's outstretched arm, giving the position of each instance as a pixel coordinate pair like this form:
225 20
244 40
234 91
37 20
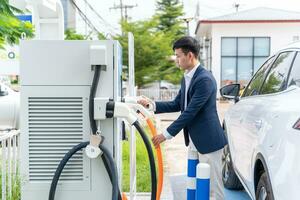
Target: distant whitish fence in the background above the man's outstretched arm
158 94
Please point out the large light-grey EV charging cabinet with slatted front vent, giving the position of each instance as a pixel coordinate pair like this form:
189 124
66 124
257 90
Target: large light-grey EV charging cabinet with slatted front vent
56 78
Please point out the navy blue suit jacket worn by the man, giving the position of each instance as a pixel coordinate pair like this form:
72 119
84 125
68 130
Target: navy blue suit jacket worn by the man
199 119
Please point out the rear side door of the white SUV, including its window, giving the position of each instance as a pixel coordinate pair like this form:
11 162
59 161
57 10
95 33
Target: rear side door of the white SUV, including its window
258 120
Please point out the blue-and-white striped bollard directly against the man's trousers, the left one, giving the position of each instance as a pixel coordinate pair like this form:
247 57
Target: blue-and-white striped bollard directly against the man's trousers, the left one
191 174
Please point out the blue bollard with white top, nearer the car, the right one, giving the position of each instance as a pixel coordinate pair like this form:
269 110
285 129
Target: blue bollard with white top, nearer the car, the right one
203 181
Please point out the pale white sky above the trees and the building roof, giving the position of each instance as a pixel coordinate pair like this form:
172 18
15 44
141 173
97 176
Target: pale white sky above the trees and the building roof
146 8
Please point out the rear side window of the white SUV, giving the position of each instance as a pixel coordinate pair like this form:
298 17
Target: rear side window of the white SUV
276 80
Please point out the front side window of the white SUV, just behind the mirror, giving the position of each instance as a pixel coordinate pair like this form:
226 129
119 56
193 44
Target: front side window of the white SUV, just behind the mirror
257 80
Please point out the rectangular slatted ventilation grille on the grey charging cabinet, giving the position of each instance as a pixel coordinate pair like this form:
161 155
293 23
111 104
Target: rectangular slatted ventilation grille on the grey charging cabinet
55 126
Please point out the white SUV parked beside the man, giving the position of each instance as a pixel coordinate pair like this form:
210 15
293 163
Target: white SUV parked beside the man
263 130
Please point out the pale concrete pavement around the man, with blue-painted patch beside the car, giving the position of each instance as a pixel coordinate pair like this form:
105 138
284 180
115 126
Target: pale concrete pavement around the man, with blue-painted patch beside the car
175 161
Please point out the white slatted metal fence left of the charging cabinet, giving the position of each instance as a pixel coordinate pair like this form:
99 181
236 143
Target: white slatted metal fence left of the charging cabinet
9 161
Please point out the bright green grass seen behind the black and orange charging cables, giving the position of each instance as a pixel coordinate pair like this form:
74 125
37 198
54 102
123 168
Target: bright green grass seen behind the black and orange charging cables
143 179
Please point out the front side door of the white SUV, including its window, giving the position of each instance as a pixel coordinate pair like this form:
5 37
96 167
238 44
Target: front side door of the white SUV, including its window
240 141
